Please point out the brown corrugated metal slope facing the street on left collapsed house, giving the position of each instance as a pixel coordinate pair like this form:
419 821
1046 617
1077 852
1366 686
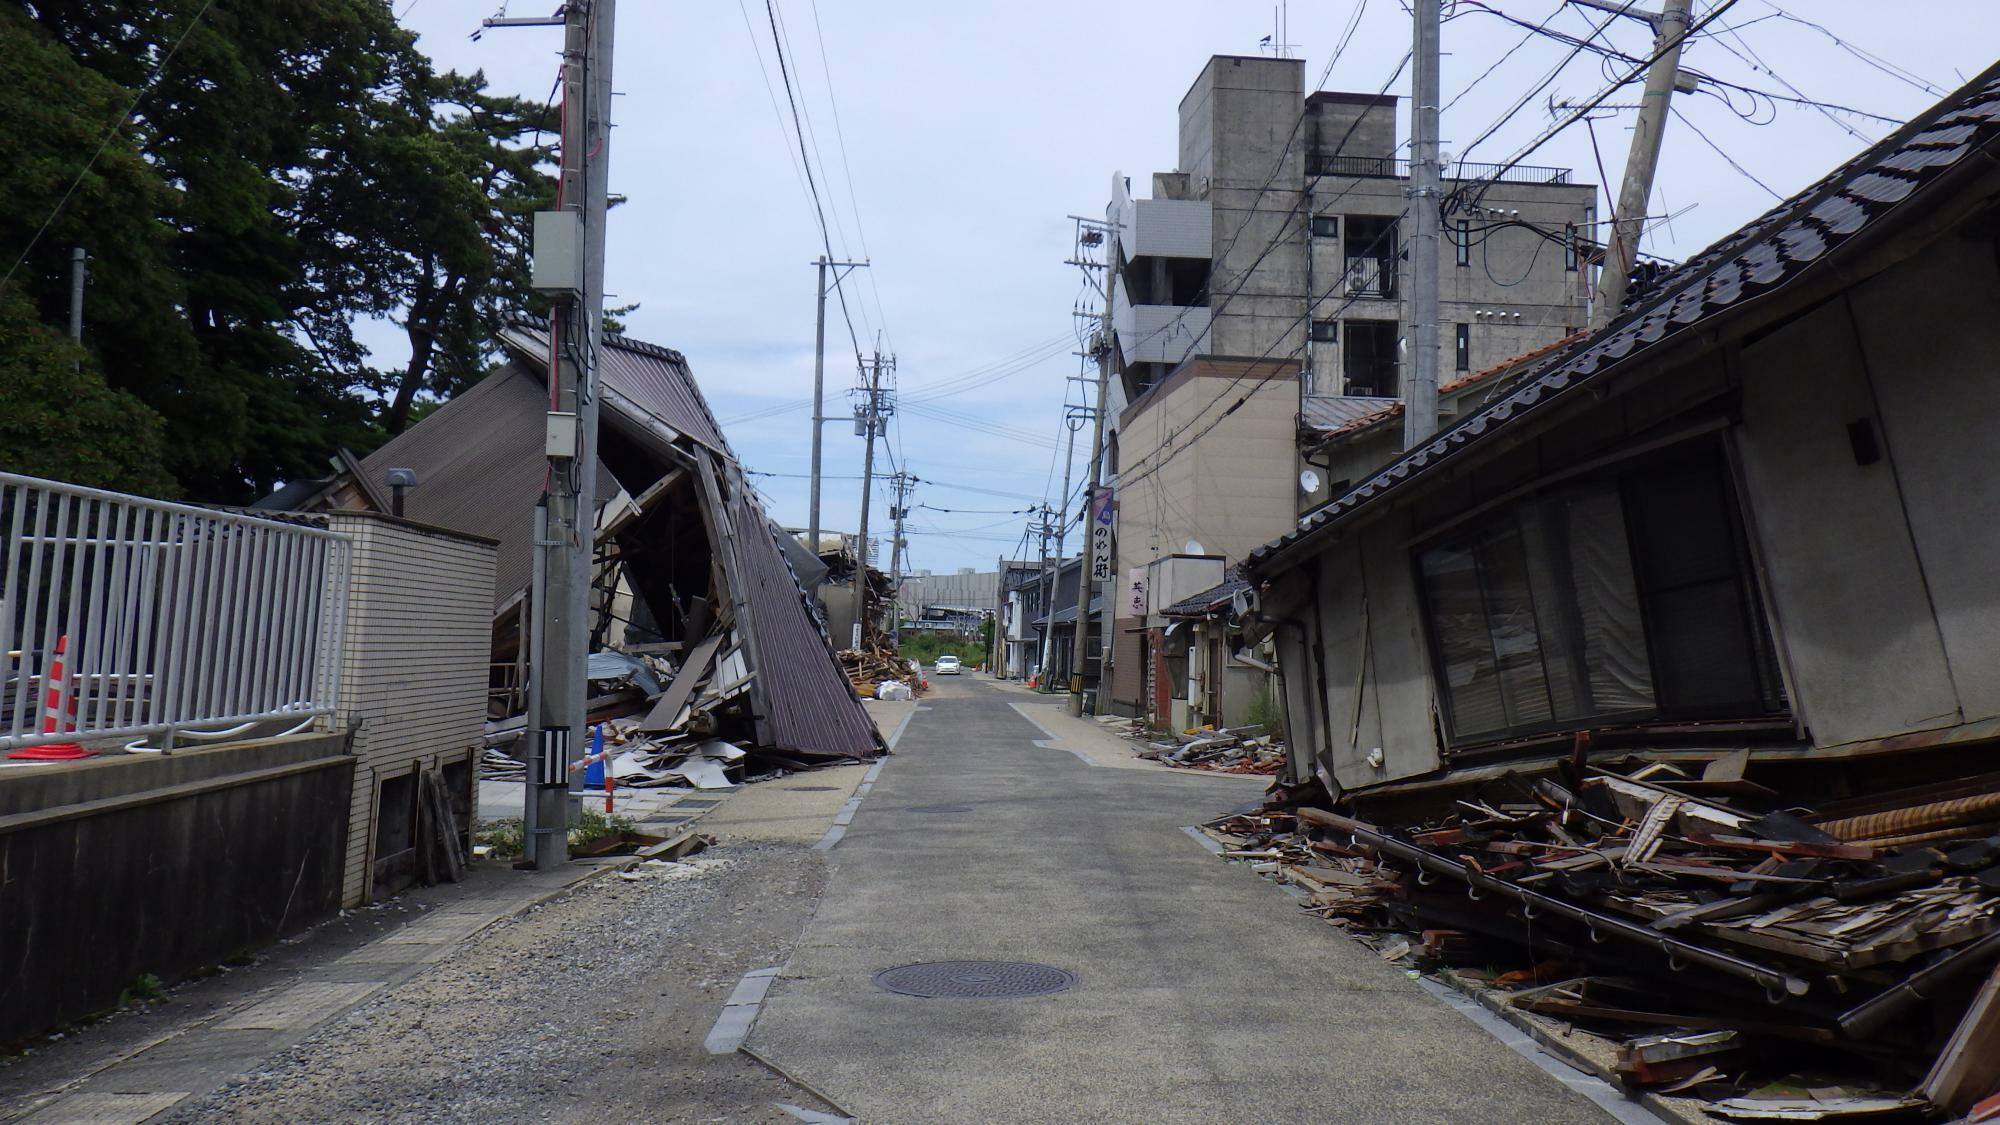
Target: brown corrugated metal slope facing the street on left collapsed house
817 712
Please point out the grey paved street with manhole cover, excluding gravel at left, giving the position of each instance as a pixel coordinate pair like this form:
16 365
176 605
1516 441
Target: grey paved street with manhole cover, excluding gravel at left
1205 994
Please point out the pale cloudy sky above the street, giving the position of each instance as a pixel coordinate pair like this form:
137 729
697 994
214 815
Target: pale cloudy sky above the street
953 141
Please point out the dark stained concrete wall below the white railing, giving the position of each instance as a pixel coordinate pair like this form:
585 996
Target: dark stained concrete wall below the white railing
131 866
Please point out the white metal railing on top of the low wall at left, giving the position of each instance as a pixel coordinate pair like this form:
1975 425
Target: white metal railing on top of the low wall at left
163 620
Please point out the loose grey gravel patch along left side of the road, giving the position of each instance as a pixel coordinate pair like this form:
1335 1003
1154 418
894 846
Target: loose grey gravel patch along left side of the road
583 1008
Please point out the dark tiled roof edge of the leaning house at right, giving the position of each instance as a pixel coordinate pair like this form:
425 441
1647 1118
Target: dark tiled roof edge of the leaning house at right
1755 261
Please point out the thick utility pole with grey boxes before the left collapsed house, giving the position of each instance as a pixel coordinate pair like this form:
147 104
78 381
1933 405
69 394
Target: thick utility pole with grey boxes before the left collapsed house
569 521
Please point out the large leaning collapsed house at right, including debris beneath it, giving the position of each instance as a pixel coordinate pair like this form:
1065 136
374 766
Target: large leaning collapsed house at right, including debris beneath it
1677 658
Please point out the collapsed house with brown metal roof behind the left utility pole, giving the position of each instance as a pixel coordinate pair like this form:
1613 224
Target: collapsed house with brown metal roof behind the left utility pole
689 566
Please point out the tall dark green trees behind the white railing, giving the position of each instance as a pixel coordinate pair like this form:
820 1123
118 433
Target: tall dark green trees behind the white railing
297 167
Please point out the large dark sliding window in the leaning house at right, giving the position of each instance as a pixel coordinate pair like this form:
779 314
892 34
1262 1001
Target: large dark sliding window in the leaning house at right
1617 600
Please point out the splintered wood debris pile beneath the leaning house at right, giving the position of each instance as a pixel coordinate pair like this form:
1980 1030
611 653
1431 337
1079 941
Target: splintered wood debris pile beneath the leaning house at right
1779 962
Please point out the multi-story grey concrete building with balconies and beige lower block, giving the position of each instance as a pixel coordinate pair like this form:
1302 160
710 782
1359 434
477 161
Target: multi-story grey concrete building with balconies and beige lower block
1261 299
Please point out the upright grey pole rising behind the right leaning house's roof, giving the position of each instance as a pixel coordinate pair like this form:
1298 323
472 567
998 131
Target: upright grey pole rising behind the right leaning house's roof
1421 391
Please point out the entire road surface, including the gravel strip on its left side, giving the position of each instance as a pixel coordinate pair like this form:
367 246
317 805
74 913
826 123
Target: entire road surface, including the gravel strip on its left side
1199 992
